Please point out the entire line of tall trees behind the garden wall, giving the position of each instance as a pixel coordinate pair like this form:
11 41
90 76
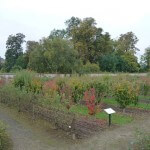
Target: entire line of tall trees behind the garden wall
80 48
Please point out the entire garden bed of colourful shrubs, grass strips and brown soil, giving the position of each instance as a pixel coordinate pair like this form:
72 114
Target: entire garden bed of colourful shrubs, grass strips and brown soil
60 100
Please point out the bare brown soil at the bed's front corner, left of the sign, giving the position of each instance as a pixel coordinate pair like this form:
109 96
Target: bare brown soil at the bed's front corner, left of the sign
69 122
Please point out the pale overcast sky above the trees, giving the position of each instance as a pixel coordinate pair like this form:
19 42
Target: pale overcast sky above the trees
36 18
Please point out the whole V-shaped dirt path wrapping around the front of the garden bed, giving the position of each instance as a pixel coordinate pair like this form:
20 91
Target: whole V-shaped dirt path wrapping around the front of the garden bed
27 135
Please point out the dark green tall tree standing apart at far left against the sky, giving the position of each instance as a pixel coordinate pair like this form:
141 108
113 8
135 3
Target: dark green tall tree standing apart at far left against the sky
14 50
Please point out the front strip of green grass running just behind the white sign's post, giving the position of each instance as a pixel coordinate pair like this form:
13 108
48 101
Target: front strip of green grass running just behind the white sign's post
118 119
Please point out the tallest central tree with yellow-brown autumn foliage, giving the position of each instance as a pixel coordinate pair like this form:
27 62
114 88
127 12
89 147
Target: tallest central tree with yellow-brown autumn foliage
83 38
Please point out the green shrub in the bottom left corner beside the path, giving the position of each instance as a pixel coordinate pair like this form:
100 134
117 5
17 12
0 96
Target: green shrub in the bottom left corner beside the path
5 142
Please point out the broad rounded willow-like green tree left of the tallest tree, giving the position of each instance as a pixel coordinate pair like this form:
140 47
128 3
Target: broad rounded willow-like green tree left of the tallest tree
54 55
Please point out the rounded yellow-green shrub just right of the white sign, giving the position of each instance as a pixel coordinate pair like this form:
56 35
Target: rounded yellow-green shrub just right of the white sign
126 93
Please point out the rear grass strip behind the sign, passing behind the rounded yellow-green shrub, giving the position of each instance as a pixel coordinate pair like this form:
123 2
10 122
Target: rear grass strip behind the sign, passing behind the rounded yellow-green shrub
139 105
